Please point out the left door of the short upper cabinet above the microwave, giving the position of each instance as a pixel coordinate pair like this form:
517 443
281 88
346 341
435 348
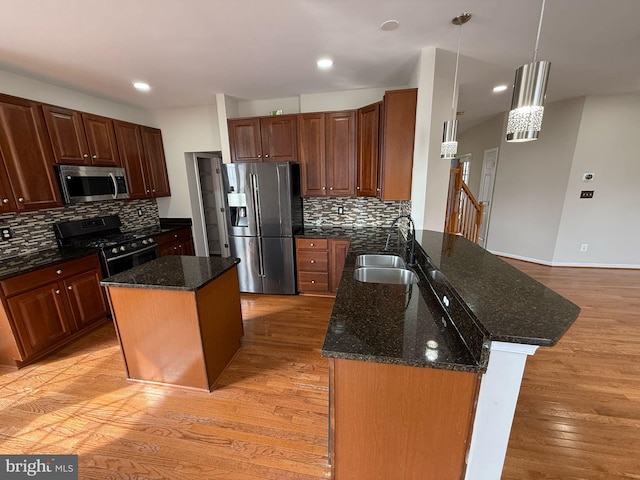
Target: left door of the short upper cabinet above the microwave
67 135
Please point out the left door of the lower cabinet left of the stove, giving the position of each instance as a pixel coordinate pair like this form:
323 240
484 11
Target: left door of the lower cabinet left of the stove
40 317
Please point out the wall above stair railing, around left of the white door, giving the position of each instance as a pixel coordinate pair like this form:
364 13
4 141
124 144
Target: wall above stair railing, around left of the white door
475 141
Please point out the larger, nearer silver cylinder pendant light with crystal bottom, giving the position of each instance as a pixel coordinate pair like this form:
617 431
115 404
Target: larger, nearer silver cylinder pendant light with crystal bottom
529 91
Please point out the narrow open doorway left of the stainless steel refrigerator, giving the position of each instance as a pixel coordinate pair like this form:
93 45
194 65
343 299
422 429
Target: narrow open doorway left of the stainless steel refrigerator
214 220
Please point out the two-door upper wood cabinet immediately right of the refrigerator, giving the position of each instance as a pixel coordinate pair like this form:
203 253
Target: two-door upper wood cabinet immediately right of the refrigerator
327 143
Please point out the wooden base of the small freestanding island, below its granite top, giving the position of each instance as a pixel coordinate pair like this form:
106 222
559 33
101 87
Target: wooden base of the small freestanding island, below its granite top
177 337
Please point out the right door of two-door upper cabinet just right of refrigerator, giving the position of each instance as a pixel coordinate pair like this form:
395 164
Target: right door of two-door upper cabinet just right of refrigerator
341 153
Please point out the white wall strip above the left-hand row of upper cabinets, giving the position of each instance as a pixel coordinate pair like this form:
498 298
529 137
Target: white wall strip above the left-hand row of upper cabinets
25 87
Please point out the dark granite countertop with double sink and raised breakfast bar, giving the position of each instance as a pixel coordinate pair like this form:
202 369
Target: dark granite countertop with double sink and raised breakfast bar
492 301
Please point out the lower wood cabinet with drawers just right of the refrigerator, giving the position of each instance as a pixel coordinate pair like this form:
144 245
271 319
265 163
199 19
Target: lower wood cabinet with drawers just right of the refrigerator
319 263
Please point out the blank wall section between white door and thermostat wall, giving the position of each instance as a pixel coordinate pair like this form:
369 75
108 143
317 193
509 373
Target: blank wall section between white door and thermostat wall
530 186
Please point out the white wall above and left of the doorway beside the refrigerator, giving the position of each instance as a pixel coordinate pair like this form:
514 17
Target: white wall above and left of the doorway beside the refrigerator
190 129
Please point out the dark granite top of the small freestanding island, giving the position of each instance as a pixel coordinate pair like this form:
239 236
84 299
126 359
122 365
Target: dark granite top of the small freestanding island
173 272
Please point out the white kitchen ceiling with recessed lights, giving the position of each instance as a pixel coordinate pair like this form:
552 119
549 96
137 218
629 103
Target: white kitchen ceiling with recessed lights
190 50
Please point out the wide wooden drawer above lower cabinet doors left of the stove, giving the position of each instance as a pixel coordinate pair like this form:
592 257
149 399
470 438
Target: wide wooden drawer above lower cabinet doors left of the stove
46 275
